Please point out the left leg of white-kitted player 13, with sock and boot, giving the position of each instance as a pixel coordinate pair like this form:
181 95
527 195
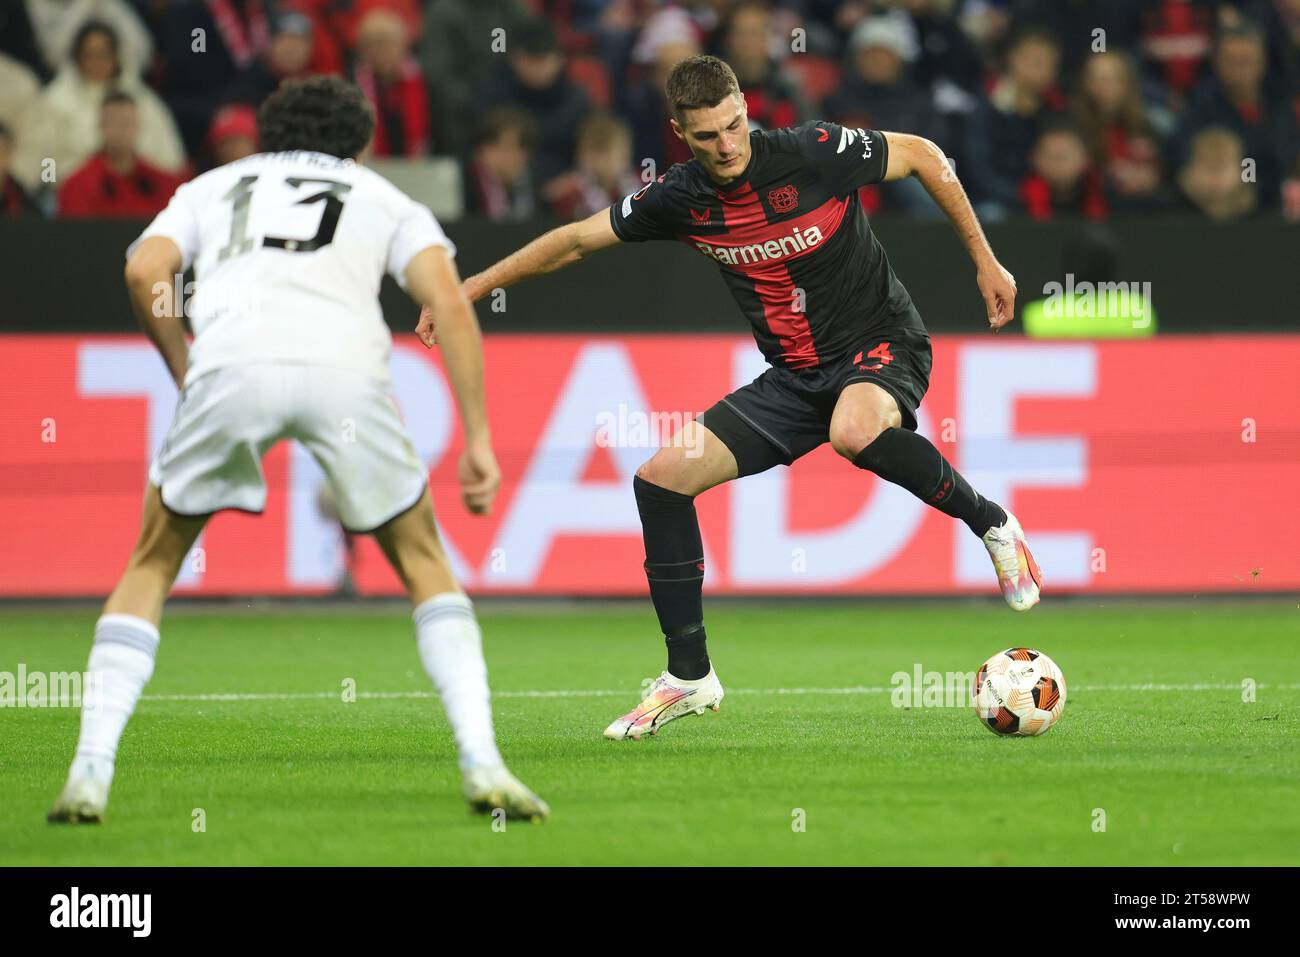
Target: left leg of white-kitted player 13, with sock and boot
122 659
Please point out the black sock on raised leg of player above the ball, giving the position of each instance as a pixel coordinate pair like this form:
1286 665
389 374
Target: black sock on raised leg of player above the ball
909 460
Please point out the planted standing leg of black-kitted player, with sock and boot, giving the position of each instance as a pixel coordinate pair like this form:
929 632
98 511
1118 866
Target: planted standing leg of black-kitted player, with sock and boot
666 487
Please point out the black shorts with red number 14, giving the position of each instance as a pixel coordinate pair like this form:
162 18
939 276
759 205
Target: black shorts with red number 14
786 414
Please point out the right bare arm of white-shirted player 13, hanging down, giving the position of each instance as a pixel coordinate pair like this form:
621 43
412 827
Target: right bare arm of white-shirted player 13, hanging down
434 282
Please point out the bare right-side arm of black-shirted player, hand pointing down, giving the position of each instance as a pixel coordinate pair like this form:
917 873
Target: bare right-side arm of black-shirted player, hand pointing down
920 158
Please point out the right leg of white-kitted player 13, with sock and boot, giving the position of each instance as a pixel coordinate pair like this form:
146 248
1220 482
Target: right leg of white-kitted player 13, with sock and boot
452 651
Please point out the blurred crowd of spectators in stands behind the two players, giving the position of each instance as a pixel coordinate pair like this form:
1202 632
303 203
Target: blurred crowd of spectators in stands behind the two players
1047 109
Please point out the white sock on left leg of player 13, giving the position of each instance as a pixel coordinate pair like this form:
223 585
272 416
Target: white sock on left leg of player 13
122 664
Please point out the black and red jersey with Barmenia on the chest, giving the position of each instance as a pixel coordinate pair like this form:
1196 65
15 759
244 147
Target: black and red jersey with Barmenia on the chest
790 237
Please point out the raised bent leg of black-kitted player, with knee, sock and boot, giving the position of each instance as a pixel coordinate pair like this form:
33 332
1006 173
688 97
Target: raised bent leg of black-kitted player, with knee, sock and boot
866 428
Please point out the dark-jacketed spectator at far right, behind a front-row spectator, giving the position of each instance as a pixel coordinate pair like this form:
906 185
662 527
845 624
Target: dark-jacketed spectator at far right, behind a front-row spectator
1234 98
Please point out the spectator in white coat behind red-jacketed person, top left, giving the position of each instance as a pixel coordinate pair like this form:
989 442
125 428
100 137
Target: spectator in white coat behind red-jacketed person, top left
63 124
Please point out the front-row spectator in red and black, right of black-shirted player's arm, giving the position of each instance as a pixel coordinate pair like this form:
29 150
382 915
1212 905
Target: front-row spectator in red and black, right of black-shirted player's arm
1061 183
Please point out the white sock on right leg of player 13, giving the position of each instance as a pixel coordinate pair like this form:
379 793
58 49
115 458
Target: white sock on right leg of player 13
452 651
